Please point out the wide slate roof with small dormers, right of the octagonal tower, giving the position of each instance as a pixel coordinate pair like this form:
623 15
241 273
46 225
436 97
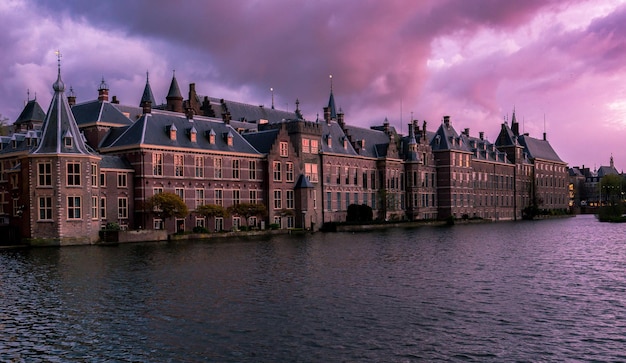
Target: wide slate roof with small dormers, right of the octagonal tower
153 129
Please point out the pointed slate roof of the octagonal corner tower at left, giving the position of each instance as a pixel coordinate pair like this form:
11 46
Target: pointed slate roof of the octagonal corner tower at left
60 124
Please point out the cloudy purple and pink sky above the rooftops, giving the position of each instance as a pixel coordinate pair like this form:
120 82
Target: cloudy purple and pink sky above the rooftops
561 65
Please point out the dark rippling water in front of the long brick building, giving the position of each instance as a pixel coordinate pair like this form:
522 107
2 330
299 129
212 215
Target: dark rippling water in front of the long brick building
526 291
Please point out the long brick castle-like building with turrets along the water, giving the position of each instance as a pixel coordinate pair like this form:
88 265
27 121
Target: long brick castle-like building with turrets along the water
67 172
